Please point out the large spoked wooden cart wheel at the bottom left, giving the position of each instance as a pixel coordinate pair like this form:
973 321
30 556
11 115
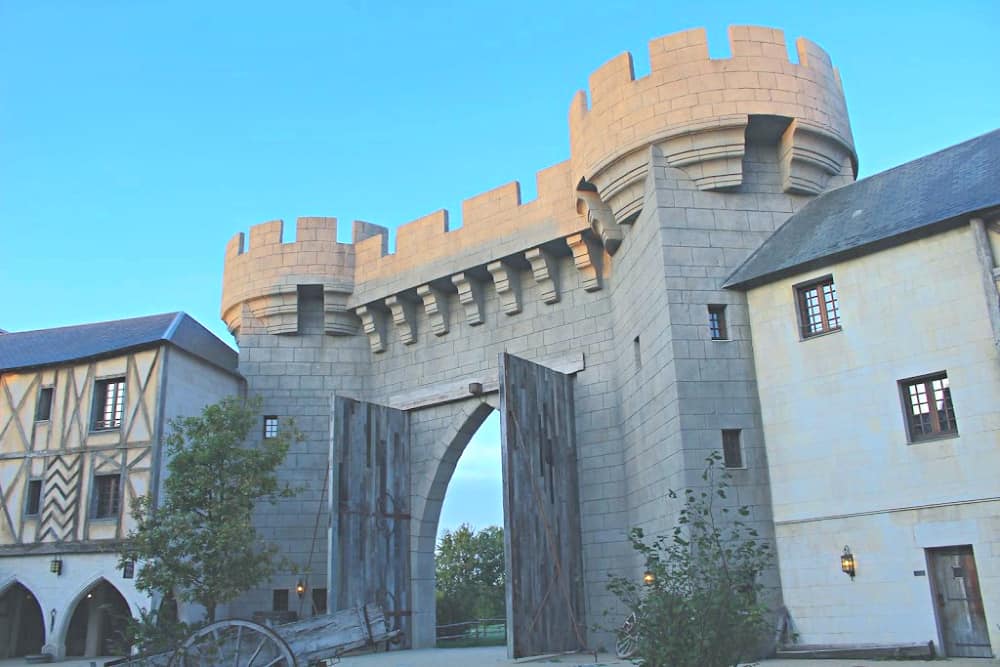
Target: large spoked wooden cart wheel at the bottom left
234 643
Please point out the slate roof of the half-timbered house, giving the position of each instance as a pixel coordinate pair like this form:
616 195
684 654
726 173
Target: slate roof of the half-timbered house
43 347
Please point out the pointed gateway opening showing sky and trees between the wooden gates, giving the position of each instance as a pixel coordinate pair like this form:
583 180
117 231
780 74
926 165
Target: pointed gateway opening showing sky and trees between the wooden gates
469 552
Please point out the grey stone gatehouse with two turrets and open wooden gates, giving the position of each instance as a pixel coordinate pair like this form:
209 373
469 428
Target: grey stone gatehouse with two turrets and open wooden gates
584 314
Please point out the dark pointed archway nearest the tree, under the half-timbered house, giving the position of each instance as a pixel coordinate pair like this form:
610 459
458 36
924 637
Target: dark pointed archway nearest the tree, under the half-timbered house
98 623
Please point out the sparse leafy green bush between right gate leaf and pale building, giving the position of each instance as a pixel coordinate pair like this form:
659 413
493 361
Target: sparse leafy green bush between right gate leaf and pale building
705 604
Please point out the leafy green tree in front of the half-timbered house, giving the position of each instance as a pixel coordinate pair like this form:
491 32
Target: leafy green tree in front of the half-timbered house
198 542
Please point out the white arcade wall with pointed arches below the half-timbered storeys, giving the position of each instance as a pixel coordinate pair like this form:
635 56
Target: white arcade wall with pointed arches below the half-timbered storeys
80 572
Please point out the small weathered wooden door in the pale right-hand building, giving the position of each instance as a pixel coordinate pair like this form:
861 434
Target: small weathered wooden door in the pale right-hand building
959 604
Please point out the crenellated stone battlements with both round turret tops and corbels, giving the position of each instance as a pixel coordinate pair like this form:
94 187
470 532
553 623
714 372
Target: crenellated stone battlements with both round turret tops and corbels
694 110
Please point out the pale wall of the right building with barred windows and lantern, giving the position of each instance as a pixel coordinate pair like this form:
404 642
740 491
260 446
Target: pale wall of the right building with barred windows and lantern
842 470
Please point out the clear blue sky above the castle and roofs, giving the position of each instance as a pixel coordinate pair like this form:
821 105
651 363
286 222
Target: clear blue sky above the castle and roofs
137 137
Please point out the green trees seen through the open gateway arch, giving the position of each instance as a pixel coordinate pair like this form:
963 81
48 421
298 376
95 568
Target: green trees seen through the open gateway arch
470 574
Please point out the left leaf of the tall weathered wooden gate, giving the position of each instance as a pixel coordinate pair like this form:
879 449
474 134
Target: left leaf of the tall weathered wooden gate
370 517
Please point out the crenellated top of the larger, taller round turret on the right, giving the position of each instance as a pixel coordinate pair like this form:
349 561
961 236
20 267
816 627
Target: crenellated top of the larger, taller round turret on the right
696 110
